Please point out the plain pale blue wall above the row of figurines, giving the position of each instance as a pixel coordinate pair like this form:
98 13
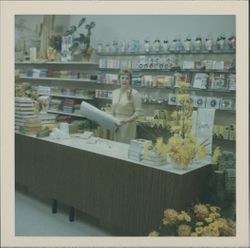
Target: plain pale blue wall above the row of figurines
114 27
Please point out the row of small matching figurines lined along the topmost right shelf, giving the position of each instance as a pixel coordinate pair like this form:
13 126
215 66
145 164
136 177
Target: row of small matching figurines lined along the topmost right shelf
164 45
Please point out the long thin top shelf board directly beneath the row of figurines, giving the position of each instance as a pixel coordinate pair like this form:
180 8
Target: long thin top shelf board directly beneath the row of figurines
139 53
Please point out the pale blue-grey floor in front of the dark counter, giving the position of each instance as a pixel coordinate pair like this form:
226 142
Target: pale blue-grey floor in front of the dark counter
34 218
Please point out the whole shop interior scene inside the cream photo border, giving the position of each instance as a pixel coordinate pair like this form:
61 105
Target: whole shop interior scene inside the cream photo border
178 169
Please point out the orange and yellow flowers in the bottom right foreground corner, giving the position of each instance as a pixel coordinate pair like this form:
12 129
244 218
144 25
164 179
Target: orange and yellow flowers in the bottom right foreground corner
199 220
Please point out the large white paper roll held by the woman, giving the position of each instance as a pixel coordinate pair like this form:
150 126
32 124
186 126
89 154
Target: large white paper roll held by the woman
104 119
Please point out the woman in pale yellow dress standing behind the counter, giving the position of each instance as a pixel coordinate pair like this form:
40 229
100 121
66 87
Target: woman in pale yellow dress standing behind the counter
126 106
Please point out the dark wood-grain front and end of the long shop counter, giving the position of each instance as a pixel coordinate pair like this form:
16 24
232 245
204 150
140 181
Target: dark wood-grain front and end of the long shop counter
124 194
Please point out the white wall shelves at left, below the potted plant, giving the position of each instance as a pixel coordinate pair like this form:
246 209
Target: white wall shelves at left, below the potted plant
83 83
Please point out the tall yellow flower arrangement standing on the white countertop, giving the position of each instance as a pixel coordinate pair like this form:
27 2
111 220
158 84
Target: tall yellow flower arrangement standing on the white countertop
183 146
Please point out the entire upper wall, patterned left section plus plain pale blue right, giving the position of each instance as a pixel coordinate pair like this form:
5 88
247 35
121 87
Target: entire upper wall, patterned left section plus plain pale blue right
126 27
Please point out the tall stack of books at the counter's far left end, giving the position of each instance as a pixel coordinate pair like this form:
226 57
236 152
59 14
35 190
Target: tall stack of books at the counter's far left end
26 121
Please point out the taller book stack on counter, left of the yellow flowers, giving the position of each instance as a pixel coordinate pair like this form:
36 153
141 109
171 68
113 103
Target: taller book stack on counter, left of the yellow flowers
136 148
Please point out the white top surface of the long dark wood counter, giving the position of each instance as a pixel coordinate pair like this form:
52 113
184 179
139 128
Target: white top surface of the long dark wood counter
100 149
